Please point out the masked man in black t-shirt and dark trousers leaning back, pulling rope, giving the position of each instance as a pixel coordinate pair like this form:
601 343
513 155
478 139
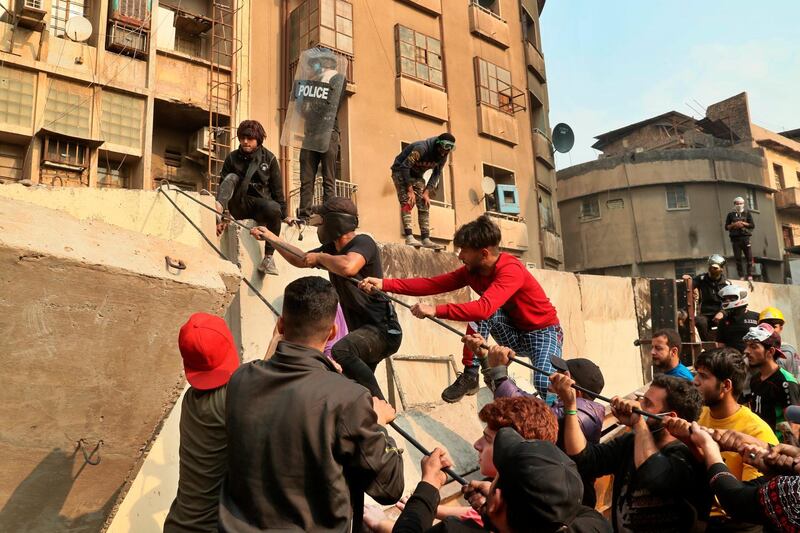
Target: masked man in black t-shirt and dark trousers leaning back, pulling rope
374 330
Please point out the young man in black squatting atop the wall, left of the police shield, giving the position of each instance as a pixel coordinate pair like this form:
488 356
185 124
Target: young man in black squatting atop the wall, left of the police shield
251 186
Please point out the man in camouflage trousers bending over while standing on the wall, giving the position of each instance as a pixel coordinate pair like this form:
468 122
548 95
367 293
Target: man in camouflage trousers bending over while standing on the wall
408 172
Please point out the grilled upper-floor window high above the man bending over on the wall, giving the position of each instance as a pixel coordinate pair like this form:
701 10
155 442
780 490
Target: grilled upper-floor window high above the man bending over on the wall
419 56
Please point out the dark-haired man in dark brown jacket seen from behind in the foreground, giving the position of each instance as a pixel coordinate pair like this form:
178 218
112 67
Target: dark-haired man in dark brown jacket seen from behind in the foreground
304 442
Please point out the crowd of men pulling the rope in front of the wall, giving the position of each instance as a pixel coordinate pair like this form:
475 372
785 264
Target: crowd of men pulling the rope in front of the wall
296 441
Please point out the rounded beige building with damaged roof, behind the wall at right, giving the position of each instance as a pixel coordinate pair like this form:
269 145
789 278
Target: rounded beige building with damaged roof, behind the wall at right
655 201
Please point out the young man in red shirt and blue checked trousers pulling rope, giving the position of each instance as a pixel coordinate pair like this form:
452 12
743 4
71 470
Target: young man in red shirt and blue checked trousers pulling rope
512 307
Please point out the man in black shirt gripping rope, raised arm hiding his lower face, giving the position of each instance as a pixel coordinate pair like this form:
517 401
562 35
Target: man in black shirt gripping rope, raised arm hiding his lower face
658 484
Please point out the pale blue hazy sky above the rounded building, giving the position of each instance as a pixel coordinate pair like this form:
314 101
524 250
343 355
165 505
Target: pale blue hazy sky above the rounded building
615 62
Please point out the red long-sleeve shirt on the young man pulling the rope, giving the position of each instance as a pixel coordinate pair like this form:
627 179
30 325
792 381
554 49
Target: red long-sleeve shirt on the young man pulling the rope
509 286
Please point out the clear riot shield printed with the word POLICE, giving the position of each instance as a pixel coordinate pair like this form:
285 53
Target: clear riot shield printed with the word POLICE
319 81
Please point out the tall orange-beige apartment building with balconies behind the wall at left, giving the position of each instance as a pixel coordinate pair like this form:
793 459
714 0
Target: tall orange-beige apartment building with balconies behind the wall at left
156 90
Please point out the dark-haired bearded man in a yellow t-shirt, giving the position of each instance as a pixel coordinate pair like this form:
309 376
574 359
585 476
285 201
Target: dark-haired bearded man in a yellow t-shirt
721 375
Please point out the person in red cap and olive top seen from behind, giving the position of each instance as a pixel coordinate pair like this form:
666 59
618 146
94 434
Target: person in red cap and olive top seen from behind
209 358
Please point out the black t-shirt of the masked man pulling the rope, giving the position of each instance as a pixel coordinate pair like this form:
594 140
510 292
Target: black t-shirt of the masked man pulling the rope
359 308
